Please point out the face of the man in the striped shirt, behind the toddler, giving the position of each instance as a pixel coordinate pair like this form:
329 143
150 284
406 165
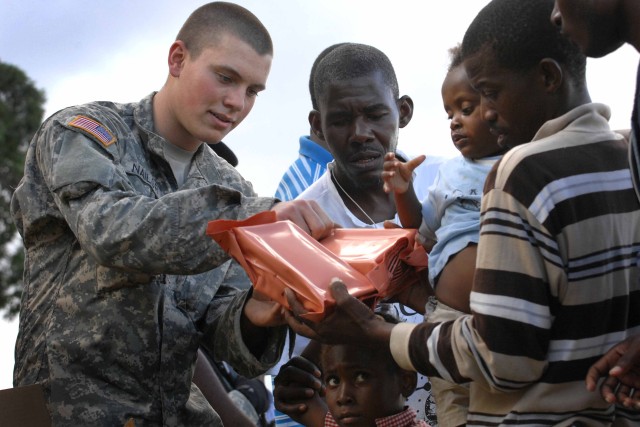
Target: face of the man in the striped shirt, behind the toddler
513 103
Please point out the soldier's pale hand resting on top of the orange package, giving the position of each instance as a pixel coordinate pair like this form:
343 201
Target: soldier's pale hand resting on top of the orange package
307 215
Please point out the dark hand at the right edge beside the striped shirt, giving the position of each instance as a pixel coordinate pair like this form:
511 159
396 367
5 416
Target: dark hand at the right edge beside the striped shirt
621 368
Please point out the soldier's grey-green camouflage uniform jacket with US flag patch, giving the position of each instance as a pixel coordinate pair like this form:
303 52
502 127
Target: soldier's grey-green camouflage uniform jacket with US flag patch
120 286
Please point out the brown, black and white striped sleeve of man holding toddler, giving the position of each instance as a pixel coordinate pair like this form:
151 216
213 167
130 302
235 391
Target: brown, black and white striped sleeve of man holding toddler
472 348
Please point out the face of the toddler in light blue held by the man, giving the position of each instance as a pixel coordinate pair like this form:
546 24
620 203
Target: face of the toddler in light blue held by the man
469 132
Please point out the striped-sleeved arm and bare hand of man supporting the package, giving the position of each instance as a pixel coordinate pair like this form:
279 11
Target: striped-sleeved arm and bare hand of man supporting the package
464 356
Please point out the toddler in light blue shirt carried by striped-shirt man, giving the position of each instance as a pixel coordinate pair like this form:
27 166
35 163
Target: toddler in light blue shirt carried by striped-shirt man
450 217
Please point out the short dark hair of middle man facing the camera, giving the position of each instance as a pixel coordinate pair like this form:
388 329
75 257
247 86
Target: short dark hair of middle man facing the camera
350 61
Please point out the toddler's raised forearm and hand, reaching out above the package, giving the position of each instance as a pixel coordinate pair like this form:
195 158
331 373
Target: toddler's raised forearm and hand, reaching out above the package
397 178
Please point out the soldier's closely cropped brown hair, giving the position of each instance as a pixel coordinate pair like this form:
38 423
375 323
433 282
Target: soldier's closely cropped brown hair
209 22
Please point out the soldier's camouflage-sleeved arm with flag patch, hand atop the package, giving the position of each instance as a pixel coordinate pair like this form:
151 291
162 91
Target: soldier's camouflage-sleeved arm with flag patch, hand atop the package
125 227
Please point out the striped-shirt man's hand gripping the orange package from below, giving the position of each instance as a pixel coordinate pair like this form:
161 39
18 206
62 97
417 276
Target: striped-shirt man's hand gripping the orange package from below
351 322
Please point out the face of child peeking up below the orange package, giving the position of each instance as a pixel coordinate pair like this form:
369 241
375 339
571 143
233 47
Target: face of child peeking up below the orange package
361 385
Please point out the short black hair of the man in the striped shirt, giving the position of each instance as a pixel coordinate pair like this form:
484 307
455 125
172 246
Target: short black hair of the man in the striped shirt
519 34
